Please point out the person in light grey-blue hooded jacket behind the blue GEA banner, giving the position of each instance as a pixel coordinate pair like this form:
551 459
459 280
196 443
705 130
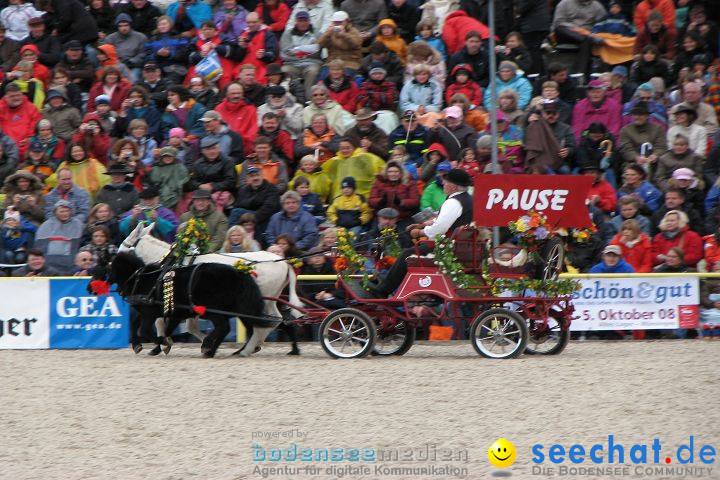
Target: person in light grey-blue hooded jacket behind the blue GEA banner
59 236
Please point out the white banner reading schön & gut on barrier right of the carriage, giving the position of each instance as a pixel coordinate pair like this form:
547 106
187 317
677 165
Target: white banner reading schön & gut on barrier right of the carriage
636 303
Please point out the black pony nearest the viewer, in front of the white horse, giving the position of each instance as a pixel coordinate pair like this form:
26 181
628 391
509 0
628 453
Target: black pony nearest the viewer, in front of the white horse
217 292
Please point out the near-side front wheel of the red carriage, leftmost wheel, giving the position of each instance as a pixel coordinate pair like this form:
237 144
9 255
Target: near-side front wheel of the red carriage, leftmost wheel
347 333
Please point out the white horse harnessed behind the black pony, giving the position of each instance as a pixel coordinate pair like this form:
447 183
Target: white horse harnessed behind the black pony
273 275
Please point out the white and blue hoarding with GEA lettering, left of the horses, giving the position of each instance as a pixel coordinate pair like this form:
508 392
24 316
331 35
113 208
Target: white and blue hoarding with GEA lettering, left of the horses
59 313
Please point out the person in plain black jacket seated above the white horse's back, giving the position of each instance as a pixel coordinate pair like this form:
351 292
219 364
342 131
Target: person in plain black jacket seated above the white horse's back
257 197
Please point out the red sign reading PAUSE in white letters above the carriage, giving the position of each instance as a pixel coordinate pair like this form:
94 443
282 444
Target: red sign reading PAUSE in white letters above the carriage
500 199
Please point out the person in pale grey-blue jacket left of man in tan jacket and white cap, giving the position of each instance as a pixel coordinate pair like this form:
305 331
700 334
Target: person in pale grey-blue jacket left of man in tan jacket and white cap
300 50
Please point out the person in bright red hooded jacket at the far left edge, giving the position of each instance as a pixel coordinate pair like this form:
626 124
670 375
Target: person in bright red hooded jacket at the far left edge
18 117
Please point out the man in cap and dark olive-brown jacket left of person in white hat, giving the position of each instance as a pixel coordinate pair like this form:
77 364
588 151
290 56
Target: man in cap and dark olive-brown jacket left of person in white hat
641 141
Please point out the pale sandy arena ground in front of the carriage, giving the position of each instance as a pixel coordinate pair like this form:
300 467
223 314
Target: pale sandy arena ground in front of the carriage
92 414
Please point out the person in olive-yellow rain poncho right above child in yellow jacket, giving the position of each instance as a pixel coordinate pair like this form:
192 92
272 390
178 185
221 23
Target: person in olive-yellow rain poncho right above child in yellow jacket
352 161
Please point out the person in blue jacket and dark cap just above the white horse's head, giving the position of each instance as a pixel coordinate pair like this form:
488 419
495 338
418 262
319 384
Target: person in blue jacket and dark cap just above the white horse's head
149 210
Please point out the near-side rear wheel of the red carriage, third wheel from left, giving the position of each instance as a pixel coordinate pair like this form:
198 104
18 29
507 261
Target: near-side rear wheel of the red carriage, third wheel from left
499 333
